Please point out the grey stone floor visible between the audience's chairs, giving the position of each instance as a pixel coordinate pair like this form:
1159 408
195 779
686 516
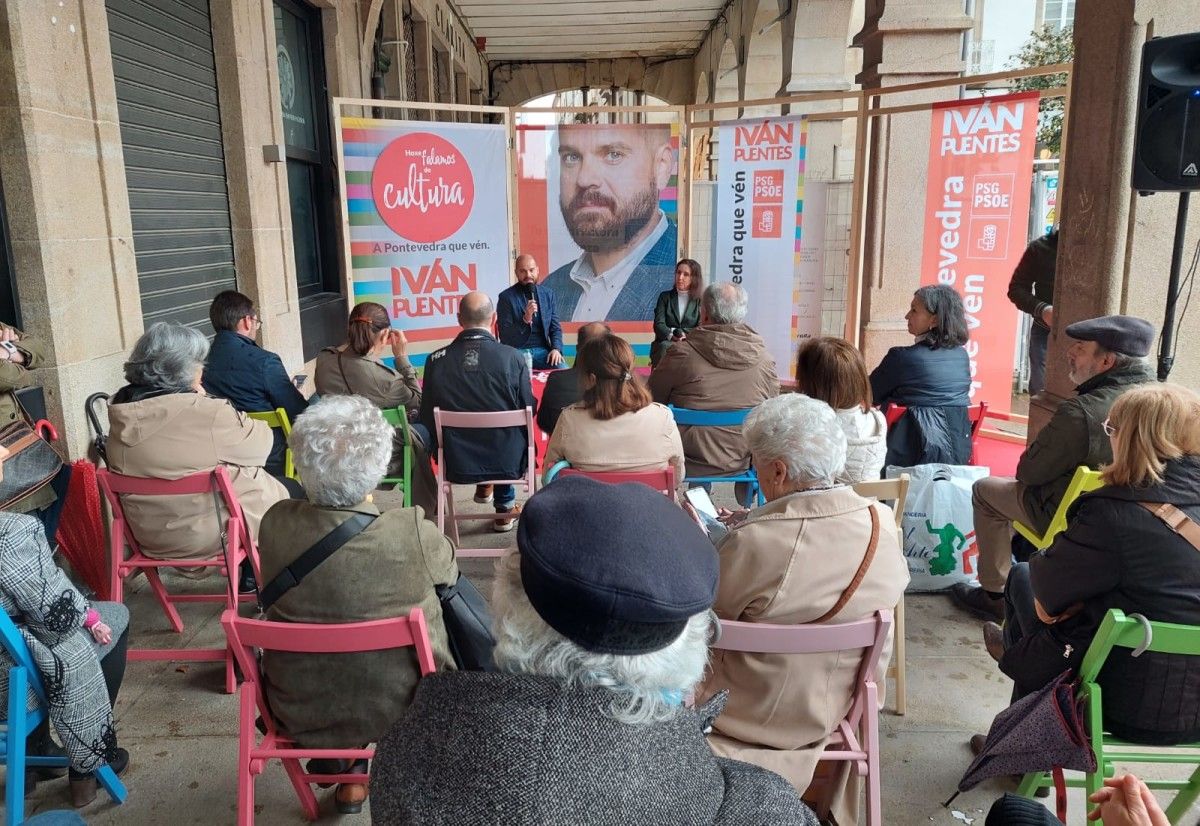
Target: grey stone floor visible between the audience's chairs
182 729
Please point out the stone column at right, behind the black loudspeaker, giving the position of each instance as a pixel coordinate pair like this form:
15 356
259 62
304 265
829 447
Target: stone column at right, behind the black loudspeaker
1115 247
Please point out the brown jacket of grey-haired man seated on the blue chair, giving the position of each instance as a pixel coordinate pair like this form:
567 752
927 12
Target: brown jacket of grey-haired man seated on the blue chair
717 368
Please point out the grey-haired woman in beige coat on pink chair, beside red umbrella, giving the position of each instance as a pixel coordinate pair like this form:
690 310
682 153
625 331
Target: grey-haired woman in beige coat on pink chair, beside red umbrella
165 427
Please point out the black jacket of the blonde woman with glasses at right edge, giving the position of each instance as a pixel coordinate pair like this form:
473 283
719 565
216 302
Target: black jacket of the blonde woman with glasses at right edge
1117 554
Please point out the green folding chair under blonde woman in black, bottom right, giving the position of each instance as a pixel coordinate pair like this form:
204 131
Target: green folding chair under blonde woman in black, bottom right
1138 633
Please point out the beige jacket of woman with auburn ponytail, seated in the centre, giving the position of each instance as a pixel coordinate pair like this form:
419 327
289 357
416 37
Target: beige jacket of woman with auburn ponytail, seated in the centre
646 440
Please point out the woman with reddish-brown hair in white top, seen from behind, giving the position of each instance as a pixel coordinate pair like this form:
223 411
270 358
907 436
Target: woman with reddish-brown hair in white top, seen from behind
833 372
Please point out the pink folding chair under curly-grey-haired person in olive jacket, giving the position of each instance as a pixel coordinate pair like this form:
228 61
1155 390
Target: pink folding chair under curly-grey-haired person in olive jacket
254 753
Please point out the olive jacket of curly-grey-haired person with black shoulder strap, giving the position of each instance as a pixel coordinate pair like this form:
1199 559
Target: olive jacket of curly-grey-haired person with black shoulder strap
351 701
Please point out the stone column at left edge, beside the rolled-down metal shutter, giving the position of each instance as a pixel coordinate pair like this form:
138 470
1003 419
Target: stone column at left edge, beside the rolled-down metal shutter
69 213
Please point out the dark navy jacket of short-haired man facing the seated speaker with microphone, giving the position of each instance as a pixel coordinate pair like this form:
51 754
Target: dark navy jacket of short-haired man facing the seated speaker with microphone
476 374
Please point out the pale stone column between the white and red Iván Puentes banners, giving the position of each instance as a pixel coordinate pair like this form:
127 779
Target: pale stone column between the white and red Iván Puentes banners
903 41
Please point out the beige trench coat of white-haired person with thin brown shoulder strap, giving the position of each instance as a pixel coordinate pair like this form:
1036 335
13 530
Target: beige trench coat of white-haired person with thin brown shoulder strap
789 564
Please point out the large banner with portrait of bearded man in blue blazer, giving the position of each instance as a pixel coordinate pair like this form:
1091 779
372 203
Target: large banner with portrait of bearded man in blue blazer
598 210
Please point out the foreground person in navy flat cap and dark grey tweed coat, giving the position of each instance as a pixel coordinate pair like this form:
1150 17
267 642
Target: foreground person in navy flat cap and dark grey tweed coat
603 624
